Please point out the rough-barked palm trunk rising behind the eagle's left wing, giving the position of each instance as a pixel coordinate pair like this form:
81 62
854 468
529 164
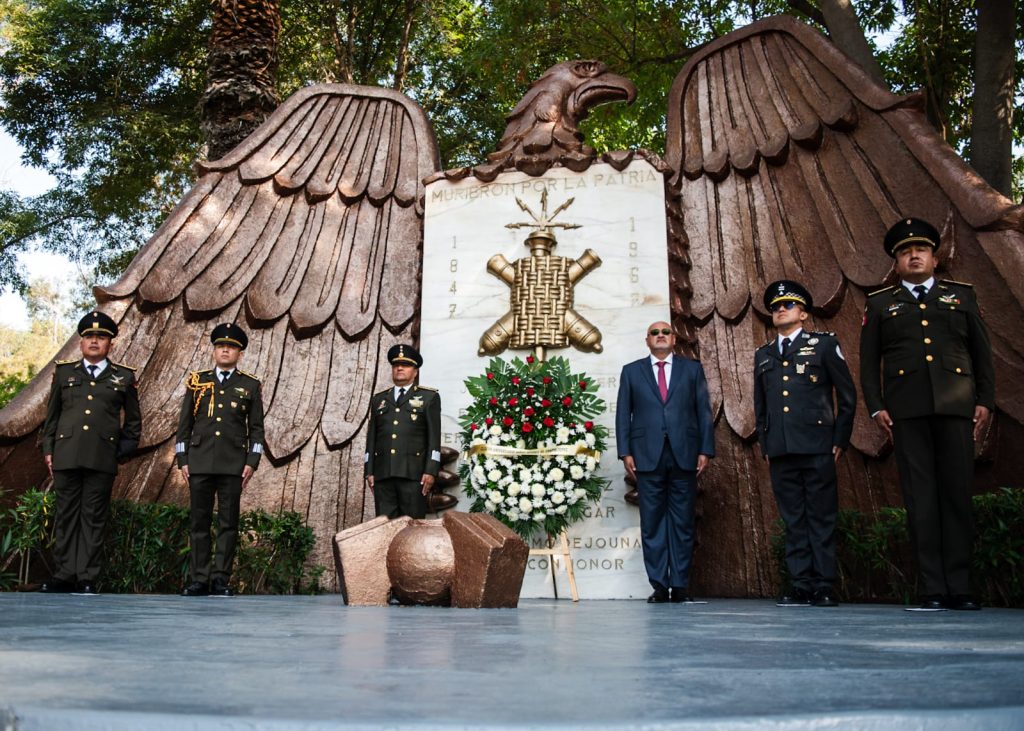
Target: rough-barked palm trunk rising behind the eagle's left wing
242 67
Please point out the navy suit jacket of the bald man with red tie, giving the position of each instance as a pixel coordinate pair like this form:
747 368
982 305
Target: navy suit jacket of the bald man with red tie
644 422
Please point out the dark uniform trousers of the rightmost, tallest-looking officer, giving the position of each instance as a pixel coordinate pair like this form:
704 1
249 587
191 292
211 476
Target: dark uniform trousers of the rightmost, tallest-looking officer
935 457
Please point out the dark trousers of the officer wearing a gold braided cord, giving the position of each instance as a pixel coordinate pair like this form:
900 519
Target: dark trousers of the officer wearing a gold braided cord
228 490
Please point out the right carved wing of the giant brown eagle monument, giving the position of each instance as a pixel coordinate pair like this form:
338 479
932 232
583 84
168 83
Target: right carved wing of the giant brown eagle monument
791 163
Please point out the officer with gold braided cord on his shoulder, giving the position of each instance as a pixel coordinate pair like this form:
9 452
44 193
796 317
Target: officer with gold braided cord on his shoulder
220 445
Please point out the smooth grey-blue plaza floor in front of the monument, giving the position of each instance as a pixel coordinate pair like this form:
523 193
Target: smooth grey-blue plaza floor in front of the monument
311 663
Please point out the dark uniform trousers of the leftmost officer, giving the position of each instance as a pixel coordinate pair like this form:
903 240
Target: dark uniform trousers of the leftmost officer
83 499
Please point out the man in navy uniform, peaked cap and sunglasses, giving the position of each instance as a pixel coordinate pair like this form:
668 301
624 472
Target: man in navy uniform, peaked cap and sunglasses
802 435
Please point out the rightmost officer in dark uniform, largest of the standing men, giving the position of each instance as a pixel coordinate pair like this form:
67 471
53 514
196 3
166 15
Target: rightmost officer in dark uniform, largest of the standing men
927 374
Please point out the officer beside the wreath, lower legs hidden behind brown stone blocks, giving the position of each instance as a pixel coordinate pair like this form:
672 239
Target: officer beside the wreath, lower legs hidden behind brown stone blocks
404 440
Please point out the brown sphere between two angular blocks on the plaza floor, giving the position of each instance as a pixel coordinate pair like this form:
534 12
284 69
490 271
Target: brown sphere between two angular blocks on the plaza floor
463 561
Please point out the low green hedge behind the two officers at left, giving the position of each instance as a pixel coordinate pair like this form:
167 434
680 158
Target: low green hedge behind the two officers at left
146 549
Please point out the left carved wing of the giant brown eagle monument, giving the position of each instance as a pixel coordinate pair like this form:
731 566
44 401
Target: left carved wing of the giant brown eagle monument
310 236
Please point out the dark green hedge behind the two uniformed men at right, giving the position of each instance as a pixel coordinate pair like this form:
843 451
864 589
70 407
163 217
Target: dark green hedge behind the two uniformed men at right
875 561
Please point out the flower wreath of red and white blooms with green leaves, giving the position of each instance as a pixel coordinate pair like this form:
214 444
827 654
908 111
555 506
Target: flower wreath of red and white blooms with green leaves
532 446
